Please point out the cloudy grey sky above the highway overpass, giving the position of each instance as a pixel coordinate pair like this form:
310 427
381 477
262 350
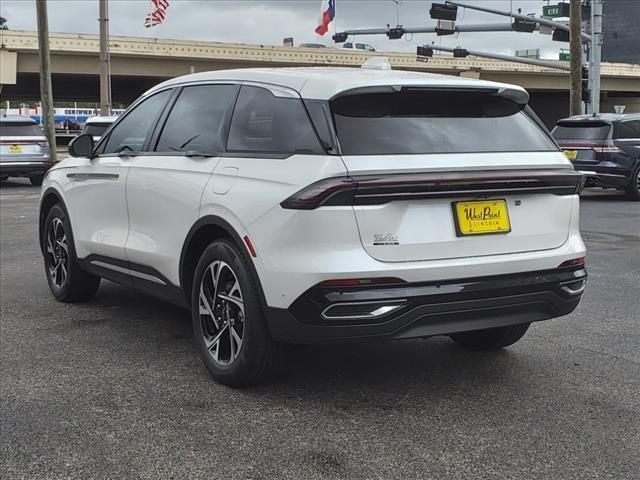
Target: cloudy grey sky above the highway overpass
268 22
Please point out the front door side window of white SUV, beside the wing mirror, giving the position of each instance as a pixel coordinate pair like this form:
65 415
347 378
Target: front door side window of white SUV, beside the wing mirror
132 131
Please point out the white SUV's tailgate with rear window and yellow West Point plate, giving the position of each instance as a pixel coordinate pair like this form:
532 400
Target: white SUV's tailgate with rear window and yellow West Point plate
417 153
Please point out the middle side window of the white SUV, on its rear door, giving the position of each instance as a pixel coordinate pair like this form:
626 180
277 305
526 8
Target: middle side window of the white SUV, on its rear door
199 119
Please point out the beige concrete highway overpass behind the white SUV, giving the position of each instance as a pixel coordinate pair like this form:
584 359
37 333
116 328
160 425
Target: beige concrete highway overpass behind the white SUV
139 63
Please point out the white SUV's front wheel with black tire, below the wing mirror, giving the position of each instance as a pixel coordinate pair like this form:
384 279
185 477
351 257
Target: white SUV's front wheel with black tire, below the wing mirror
75 285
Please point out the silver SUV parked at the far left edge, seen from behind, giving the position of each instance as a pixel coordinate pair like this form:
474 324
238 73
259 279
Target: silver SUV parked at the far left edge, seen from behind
24 150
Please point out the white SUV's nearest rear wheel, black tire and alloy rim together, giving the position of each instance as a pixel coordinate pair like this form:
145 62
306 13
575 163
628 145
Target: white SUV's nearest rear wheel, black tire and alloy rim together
258 358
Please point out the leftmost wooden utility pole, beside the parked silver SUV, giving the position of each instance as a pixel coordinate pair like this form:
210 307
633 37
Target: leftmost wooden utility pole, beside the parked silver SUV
46 94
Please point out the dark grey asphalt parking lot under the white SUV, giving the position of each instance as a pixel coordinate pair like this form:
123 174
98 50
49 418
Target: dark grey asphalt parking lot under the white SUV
114 388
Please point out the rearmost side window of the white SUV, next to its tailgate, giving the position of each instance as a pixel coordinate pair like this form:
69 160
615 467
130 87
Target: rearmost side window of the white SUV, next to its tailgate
265 123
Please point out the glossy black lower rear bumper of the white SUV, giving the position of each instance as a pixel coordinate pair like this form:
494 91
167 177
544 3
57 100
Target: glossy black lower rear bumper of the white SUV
428 309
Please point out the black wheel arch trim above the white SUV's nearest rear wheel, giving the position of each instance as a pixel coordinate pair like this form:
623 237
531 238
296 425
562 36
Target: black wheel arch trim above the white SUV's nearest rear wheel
201 234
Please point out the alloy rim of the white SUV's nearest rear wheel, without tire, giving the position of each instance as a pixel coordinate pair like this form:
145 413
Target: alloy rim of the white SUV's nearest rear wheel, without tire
221 312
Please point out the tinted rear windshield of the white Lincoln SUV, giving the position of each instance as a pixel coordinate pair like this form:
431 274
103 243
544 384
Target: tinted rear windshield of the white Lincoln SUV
414 121
